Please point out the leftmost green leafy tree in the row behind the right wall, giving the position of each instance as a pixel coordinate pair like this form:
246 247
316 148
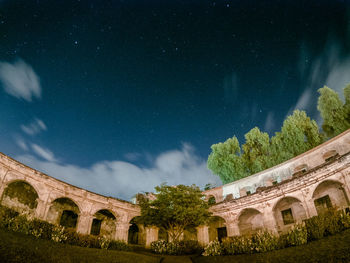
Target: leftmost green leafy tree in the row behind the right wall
226 162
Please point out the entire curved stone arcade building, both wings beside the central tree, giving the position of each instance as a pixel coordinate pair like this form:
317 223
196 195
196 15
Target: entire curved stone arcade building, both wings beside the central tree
273 199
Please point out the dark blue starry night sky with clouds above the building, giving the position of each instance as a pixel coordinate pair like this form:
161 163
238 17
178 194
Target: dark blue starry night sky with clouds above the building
119 96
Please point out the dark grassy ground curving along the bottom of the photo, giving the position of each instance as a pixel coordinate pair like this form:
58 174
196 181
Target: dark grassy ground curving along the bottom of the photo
16 247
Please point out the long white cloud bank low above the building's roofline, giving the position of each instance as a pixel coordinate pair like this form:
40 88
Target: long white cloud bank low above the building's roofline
124 179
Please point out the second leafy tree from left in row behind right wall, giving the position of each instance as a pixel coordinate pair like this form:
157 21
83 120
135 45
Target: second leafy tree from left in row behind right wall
256 150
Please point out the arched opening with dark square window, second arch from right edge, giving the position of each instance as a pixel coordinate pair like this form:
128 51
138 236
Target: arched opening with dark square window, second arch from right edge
287 212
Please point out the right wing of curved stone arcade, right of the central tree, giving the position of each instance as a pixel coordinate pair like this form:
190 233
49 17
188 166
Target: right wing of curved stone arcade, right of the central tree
299 184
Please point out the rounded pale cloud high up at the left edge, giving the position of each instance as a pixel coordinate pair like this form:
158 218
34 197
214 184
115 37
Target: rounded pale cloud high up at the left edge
20 80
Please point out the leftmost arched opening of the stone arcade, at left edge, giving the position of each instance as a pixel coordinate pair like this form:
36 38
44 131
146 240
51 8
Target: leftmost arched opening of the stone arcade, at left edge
20 196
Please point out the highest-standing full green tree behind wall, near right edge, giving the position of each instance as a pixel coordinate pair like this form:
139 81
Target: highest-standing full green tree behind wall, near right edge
332 111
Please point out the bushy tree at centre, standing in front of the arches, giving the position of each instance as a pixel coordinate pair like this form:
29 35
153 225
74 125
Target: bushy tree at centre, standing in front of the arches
175 209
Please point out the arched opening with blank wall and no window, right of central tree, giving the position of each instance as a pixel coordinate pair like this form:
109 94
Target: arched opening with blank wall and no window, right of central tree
250 221
